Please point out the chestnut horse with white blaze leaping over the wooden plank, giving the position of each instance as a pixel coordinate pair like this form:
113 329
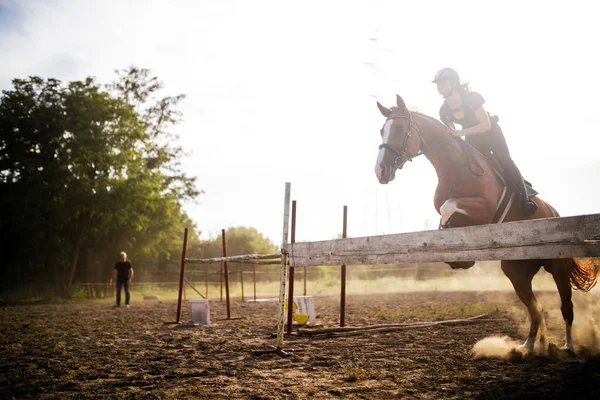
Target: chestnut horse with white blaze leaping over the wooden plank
468 193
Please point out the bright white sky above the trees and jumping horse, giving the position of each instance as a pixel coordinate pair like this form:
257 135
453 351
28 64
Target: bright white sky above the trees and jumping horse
285 91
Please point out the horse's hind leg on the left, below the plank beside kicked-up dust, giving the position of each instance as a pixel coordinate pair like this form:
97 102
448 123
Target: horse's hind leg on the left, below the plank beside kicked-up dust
520 273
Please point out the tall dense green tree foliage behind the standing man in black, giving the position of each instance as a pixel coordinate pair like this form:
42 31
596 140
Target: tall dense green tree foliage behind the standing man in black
87 169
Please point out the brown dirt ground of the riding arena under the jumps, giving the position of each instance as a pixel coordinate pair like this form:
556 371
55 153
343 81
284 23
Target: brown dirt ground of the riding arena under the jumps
90 350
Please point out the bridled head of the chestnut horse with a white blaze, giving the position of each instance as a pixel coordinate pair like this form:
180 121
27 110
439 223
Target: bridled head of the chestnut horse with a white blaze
399 144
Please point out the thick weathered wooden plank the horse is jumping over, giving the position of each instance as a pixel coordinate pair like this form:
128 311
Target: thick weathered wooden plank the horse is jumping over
565 237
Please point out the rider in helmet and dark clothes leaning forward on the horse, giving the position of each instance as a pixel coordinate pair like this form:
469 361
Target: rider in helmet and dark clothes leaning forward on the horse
465 107
